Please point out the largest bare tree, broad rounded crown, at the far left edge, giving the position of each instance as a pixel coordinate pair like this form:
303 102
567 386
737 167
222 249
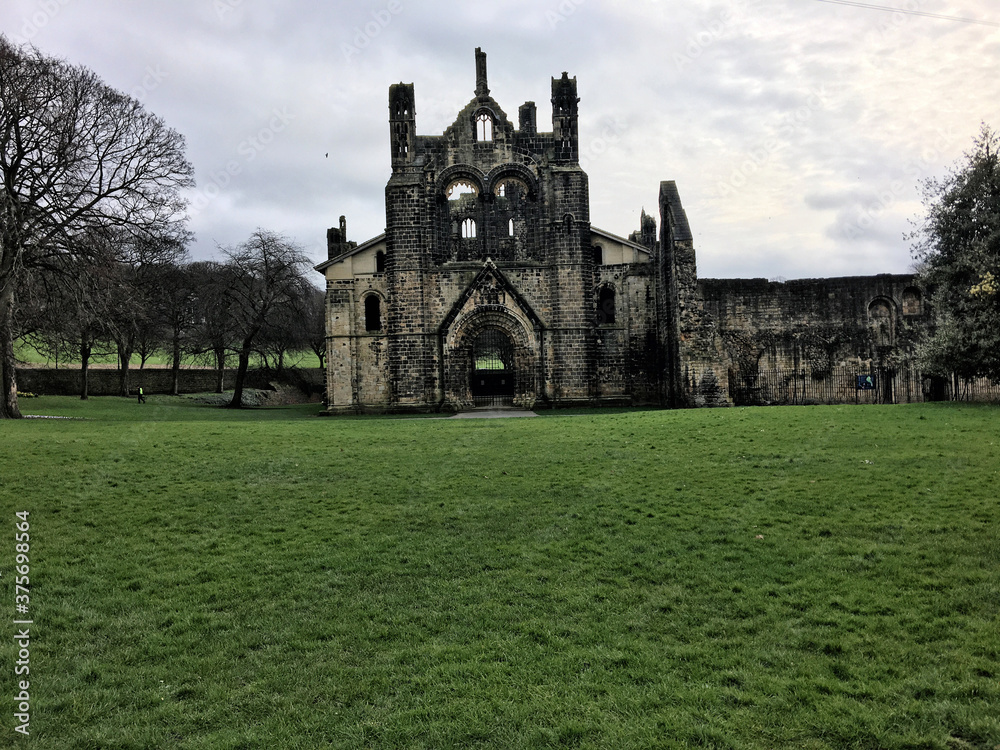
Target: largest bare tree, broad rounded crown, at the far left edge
75 155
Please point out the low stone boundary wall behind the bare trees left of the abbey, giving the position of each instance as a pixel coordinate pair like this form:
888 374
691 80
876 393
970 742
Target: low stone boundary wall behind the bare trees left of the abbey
105 382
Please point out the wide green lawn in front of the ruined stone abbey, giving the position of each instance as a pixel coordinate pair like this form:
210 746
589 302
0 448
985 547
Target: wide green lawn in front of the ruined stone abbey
817 577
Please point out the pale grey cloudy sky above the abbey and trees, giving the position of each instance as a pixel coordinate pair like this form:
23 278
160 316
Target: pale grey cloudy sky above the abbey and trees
797 131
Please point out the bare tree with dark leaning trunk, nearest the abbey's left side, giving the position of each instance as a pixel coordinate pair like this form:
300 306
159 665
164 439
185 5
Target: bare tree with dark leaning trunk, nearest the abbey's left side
268 280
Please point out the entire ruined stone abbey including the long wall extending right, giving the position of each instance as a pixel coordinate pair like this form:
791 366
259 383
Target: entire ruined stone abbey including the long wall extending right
490 286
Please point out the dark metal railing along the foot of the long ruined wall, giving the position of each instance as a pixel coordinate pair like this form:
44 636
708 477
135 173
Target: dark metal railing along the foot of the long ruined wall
862 385
